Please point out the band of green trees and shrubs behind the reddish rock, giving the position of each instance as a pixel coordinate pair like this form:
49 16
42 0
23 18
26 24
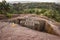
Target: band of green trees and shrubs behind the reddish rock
50 10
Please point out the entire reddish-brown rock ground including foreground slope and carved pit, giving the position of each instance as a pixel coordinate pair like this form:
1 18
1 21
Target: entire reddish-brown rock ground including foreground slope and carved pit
29 27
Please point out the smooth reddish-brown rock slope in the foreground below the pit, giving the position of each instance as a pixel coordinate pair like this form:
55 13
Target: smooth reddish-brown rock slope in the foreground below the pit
11 31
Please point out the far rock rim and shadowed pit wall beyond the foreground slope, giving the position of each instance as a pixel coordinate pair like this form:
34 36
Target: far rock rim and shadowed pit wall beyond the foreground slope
37 22
